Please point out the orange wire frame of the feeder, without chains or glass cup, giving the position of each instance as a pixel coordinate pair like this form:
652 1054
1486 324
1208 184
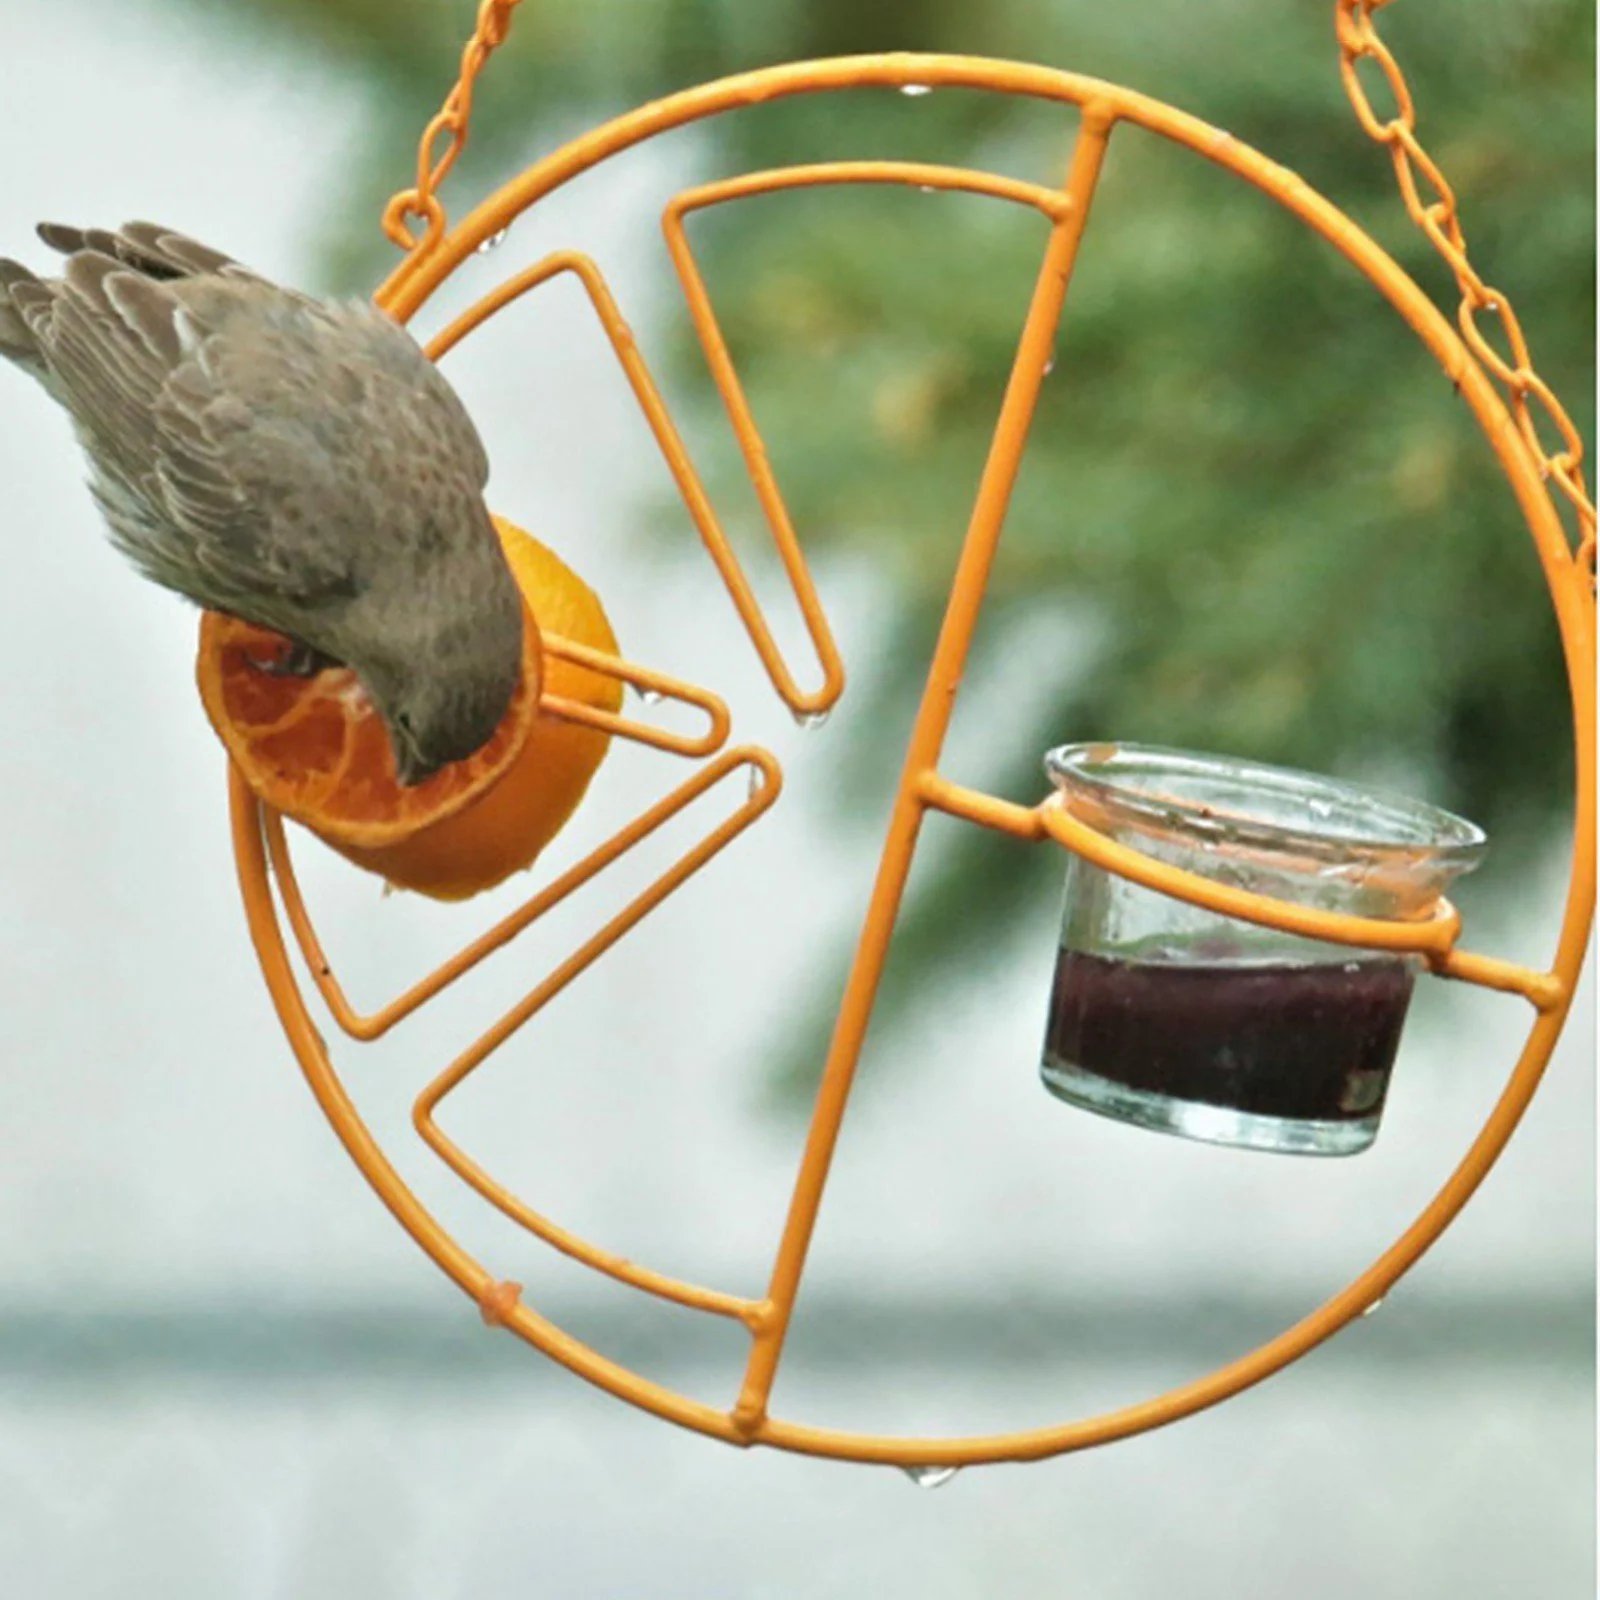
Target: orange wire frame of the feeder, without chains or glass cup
1103 106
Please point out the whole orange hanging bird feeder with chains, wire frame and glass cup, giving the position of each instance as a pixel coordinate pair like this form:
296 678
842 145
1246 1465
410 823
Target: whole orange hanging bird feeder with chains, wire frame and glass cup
1196 857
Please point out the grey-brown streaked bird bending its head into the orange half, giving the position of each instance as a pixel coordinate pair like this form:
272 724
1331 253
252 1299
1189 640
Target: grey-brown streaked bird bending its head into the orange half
292 462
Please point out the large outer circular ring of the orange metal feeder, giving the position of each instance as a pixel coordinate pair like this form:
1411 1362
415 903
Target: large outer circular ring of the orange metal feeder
1570 594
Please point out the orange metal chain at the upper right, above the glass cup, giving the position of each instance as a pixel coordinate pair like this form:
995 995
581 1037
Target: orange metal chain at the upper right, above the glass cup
1433 207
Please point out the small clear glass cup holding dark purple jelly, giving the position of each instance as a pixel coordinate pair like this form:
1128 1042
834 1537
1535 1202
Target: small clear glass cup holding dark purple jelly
1177 1018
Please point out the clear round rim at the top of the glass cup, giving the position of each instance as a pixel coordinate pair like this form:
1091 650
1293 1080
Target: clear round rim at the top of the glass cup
1110 770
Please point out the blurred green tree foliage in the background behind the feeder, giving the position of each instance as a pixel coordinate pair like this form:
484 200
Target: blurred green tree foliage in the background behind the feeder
1286 530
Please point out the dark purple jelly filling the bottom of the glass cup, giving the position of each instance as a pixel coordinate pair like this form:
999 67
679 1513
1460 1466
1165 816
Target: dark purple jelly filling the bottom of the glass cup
1310 1042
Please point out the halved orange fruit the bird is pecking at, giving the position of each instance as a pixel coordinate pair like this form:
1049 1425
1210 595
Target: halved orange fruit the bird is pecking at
318 751
